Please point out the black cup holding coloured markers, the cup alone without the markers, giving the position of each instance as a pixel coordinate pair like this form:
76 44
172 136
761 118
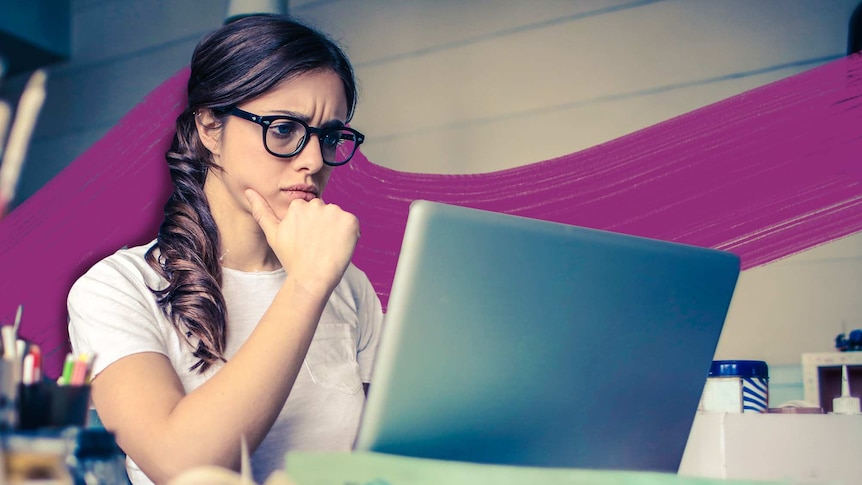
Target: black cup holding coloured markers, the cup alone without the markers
47 405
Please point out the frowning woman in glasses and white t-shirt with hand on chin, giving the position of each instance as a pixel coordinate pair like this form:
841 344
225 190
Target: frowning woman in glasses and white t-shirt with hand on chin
245 317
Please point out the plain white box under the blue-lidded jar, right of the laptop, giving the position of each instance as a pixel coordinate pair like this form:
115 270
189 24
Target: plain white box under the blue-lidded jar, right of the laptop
802 448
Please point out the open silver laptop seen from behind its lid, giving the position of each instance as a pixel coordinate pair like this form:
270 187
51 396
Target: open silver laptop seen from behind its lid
510 340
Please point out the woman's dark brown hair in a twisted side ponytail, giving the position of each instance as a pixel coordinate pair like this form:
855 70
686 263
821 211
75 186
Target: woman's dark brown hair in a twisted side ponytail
240 61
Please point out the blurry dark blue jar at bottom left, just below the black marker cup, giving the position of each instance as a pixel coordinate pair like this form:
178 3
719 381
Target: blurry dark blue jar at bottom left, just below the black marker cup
98 460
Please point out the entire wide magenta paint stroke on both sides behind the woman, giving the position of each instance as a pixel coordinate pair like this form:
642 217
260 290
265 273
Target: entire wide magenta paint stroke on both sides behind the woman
765 174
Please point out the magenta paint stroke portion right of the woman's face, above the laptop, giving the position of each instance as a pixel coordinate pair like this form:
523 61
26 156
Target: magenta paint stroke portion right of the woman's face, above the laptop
764 174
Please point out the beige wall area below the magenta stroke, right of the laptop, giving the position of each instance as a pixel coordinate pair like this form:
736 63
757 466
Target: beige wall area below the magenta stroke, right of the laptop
798 304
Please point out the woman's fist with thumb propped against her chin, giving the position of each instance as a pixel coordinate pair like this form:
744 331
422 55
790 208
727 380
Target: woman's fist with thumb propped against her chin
314 241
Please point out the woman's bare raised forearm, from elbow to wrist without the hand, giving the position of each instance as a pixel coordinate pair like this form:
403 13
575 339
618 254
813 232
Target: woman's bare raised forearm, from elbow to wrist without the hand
242 399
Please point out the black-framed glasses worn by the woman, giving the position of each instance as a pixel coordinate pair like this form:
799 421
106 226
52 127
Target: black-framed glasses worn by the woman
286 136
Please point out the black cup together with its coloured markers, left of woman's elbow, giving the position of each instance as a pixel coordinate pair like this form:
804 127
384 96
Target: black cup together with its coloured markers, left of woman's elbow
56 404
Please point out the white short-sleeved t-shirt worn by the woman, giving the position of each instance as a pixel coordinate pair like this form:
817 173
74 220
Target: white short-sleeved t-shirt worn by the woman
113 314
